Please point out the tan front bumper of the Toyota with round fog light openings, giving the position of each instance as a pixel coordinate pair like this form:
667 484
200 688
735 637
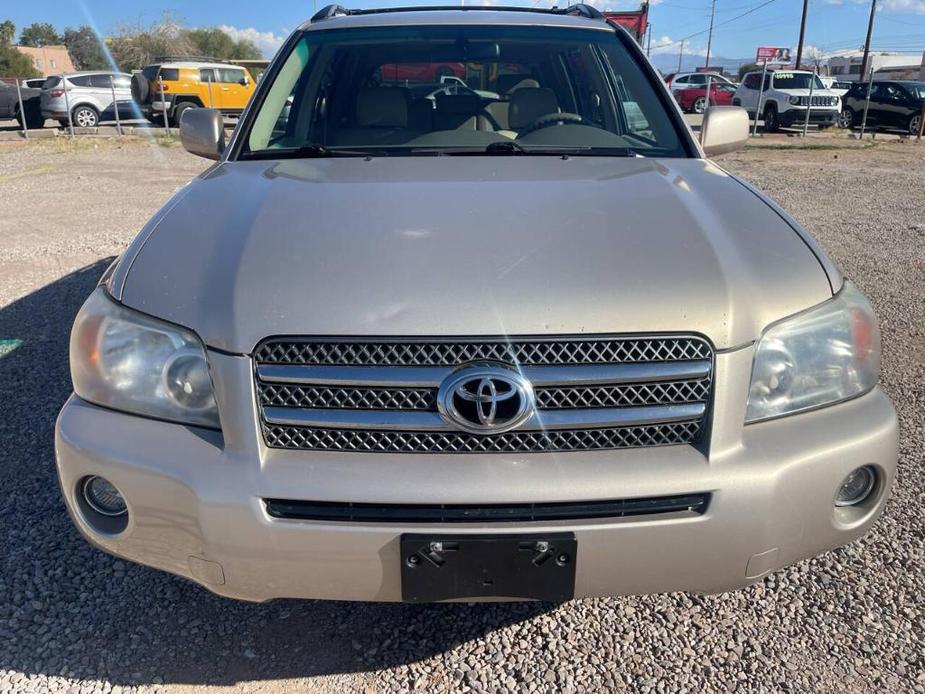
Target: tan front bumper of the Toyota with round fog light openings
196 497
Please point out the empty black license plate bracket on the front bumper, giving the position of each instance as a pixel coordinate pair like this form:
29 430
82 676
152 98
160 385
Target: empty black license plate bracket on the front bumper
437 567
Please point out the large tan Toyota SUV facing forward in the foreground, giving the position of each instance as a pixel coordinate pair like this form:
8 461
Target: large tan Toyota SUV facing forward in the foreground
372 356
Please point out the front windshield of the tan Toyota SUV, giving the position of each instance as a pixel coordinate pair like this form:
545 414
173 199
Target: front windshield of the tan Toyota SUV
455 89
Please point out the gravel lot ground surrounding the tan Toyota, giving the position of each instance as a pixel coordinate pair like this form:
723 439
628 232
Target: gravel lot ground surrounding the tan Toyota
74 619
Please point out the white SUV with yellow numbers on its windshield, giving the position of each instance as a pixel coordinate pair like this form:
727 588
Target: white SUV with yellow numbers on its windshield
784 97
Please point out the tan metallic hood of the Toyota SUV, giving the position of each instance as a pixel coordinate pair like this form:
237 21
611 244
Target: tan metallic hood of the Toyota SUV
436 246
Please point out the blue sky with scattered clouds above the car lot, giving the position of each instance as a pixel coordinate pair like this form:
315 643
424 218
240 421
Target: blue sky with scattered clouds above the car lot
833 25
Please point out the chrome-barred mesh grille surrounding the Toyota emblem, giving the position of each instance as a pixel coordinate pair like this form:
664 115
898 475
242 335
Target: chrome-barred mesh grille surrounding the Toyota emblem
592 393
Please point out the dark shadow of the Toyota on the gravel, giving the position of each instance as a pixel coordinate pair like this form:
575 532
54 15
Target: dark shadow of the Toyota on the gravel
68 609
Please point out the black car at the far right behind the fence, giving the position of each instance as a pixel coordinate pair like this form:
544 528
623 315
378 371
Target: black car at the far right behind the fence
893 106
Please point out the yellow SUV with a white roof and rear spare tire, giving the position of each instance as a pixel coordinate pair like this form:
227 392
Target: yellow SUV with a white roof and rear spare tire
174 87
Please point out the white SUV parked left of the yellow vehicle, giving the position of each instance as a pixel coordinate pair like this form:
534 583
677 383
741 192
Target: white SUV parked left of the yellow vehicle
89 98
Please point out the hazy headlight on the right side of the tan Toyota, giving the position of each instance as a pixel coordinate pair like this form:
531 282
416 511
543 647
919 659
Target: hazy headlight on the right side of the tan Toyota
825 355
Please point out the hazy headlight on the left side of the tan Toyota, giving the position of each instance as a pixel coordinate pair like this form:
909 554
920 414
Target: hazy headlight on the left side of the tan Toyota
129 361
